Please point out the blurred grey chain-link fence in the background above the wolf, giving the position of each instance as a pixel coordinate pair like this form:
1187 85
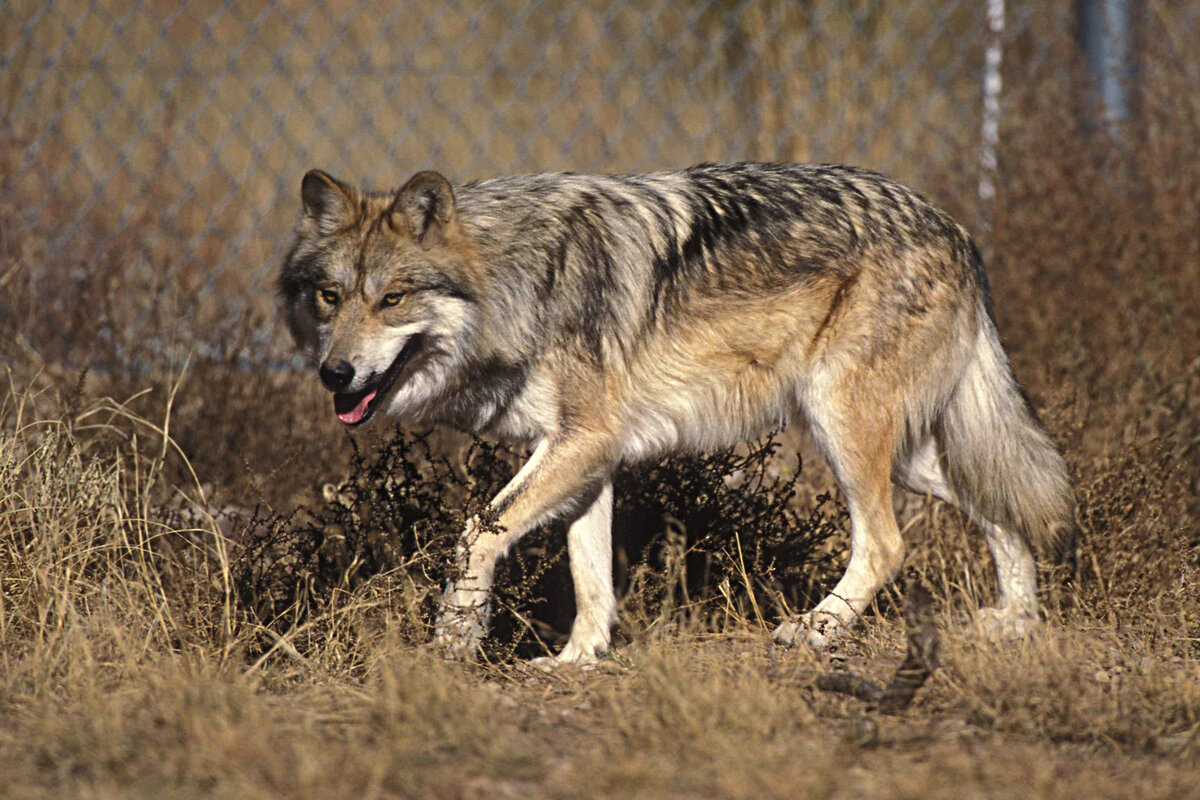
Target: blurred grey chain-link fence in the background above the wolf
179 131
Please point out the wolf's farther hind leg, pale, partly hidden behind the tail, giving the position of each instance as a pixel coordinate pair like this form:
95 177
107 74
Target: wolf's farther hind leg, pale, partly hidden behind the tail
1016 613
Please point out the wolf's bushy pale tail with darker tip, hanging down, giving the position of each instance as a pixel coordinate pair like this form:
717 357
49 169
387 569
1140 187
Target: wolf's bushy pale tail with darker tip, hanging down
1000 459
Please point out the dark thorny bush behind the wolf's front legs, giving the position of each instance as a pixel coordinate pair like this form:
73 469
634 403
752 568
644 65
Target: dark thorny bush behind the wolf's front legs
693 534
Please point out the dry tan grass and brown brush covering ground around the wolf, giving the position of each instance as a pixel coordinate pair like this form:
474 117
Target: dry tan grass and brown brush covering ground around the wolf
140 658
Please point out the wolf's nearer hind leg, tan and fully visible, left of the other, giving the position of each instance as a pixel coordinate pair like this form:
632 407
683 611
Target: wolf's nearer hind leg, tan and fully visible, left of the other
859 441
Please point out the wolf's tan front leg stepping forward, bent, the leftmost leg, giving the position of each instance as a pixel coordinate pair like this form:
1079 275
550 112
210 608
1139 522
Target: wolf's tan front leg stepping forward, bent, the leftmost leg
563 478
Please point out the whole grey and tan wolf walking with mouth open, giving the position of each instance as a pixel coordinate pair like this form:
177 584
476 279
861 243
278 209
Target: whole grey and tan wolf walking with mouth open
607 320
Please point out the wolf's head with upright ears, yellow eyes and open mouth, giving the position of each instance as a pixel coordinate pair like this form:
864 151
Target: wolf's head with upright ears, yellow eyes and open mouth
380 292
